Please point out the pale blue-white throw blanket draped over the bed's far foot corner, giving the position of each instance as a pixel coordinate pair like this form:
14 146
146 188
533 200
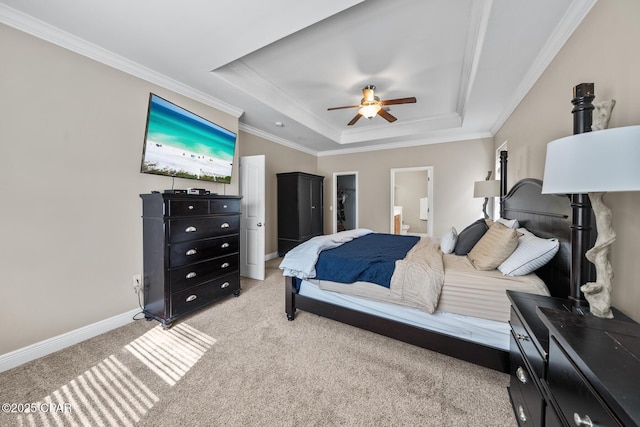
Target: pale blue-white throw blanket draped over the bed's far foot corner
301 261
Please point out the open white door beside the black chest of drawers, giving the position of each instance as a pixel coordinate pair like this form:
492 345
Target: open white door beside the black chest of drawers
252 229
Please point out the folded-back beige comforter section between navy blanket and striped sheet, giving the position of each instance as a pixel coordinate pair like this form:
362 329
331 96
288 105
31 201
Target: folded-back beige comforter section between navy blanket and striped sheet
418 278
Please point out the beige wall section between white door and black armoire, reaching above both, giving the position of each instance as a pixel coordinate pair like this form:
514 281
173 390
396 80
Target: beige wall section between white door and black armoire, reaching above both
278 158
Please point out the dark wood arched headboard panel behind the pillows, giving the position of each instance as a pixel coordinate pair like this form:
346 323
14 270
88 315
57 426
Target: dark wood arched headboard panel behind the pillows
546 216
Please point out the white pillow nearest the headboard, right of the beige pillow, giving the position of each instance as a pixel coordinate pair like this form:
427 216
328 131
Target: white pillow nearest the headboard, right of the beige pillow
532 253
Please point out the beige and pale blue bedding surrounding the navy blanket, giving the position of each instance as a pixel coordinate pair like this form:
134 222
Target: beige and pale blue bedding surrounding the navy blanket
425 279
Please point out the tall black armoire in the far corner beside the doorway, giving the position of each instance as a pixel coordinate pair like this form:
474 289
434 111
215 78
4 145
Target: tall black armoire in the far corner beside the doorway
300 209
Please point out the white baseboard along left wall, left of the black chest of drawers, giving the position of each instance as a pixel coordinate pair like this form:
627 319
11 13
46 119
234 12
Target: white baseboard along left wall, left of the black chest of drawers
51 345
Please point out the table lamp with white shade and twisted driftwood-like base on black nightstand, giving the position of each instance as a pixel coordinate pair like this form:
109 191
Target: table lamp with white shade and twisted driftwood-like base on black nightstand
595 163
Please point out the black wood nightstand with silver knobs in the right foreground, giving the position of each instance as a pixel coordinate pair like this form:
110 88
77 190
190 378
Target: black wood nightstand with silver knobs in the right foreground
572 369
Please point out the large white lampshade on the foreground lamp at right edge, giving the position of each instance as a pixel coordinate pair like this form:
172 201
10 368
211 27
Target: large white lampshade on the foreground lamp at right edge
600 161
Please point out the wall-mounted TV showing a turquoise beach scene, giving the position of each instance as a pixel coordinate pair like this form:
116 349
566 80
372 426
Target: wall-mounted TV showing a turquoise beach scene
181 144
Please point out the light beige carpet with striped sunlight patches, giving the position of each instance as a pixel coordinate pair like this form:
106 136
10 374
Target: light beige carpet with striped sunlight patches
240 362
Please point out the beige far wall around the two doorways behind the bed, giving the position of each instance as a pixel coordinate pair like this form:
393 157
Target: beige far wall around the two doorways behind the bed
456 166
